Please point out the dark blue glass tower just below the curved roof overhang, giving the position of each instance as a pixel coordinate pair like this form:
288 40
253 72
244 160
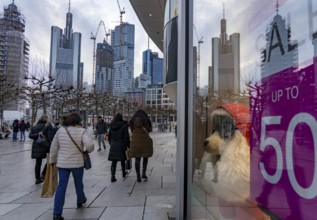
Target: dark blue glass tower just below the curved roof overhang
152 66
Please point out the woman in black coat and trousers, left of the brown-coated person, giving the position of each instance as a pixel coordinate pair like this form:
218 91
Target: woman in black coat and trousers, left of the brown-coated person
119 140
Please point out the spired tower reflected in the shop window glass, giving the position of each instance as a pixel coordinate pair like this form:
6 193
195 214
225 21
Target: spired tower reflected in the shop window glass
224 75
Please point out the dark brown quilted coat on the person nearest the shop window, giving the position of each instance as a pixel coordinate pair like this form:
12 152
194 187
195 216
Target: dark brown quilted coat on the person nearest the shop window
141 144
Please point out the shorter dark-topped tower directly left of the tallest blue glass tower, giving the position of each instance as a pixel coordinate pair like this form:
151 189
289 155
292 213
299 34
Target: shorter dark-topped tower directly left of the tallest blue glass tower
104 68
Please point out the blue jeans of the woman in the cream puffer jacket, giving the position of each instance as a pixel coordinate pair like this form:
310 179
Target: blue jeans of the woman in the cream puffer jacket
63 174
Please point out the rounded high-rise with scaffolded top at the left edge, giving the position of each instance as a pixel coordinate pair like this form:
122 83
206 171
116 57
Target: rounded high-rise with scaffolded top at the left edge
14 56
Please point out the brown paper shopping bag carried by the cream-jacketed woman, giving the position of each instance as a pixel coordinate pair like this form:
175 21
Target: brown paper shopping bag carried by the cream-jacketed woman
50 181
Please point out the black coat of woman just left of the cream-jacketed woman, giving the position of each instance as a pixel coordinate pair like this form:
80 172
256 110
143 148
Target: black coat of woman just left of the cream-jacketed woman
37 151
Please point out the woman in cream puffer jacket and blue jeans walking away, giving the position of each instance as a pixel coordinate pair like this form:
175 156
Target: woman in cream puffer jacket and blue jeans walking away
68 160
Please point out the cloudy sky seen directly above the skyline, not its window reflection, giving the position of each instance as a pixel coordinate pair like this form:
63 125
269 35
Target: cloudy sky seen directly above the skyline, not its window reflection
40 15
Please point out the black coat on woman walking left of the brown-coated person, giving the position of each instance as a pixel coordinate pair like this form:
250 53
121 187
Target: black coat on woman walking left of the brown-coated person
118 140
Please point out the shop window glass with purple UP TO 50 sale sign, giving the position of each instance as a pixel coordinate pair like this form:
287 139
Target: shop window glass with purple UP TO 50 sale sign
254 113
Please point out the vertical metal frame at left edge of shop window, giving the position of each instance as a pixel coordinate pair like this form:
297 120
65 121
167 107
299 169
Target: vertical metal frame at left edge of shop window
185 109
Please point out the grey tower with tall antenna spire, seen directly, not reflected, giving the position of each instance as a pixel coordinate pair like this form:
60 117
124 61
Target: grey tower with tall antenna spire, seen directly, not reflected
65 65
